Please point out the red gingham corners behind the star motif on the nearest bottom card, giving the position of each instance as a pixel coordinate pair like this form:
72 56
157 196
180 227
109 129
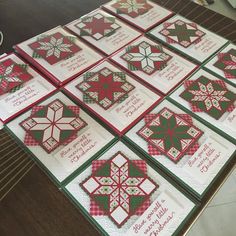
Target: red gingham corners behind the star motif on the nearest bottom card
95 209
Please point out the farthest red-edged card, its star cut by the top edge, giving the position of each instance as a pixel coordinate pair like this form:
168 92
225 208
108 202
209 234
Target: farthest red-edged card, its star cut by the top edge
143 14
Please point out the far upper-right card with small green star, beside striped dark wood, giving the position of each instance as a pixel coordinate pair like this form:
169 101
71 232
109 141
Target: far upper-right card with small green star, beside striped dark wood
188 38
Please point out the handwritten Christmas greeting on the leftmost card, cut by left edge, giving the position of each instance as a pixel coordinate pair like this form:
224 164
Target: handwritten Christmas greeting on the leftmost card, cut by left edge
24 97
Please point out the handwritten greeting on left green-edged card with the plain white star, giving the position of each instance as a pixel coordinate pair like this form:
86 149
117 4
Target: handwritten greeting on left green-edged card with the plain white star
80 150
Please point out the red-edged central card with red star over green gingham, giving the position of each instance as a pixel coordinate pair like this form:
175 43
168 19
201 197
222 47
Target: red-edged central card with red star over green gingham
112 95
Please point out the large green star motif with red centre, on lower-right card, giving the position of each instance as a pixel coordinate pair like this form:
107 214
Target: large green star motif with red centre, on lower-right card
169 133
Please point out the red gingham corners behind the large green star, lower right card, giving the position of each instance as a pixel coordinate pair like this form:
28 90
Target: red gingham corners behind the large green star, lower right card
154 151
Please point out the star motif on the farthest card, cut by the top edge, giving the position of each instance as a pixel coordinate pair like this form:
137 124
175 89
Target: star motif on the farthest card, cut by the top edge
132 8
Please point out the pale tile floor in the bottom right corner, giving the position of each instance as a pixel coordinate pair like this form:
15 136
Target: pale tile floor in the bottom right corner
218 218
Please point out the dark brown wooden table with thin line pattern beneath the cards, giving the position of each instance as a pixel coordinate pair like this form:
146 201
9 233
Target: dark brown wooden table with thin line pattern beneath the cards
31 204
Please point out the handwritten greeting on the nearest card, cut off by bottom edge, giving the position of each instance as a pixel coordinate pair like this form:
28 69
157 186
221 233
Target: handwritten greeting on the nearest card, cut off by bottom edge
157 218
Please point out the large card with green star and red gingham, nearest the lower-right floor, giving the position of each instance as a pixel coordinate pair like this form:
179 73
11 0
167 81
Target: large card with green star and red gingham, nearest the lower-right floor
190 151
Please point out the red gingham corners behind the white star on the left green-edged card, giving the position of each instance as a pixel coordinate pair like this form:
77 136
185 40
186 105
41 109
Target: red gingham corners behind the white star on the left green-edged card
30 141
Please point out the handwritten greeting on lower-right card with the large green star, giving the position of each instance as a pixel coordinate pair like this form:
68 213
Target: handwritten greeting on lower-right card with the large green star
206 161
